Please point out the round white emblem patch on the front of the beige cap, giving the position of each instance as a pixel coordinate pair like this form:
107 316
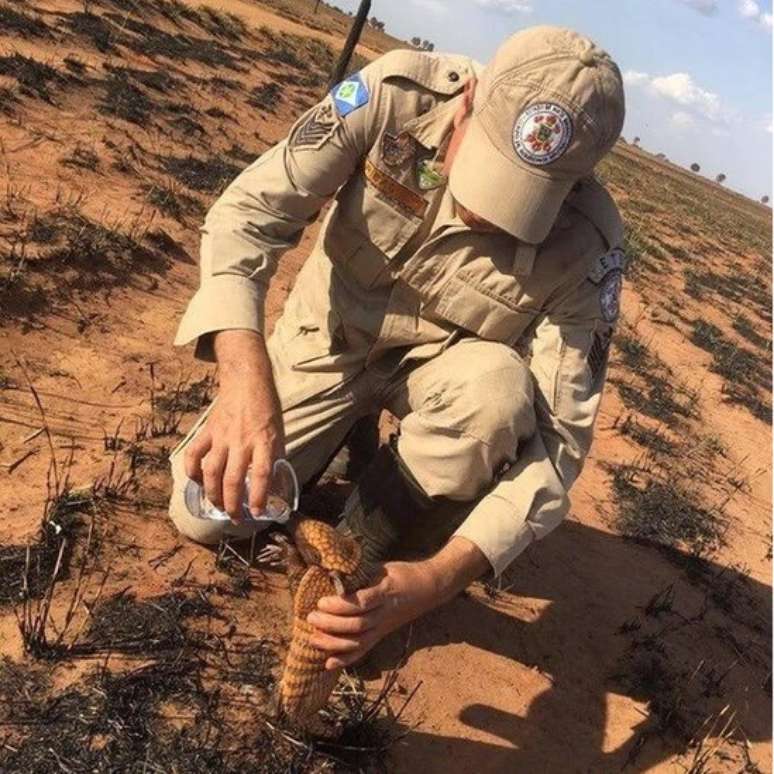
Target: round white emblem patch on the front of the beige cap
542 133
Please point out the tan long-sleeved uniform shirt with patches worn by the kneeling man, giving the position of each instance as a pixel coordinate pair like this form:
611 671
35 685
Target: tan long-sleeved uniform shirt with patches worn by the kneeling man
409 277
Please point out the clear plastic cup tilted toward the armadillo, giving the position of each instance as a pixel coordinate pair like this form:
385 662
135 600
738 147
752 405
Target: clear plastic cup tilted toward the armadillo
281 499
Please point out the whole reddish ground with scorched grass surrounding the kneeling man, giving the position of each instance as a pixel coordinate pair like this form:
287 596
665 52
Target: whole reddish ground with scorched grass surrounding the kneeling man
637 636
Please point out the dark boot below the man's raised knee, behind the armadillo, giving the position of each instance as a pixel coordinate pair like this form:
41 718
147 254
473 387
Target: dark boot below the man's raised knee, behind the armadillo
383 505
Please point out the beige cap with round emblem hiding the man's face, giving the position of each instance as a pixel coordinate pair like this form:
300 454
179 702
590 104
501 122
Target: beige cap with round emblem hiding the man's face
547 107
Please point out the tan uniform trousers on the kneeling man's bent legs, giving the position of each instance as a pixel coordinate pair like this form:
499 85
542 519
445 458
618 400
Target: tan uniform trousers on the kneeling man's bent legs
463 414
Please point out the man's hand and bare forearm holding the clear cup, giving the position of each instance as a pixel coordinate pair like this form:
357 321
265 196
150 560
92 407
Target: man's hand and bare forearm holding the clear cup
244 430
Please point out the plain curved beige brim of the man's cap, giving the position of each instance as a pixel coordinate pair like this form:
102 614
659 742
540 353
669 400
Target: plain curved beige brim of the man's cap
521 202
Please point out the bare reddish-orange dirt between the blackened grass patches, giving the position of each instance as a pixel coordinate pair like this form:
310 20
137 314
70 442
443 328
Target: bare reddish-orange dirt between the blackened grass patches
550 674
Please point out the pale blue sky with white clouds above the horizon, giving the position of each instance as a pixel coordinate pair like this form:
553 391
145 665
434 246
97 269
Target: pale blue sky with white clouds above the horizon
698 72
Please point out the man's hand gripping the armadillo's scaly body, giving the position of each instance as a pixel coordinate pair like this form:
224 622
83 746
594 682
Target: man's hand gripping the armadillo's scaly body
349 626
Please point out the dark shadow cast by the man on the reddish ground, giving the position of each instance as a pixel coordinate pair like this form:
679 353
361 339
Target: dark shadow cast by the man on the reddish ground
683 637
